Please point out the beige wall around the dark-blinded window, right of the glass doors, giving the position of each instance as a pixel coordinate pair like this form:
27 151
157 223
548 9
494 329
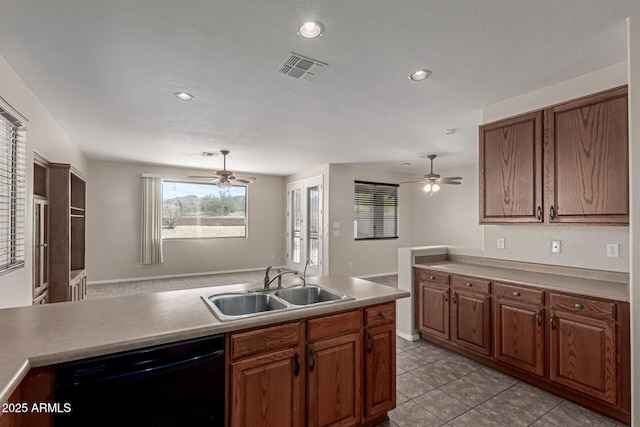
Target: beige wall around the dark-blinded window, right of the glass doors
367 257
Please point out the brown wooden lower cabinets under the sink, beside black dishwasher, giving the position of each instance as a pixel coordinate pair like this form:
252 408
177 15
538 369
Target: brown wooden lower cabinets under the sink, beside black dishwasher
334 370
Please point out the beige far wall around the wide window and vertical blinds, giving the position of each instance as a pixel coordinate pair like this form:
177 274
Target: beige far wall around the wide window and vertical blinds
113 233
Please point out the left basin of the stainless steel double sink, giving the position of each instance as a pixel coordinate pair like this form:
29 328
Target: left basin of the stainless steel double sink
233 306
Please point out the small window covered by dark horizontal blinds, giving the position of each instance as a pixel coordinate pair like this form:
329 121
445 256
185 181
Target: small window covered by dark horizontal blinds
376 211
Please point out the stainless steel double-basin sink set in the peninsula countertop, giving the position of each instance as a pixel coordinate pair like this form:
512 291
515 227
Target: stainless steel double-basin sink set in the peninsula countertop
239 305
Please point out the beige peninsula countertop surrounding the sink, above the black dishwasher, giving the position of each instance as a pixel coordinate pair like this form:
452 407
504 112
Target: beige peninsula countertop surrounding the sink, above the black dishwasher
55 333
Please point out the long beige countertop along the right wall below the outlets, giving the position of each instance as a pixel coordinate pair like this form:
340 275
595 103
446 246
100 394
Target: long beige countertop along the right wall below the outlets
595 287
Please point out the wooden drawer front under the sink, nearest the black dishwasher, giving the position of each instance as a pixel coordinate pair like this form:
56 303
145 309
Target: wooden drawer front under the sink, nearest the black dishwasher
262 340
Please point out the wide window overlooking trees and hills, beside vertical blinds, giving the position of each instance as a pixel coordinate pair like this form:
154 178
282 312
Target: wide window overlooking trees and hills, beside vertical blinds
193 210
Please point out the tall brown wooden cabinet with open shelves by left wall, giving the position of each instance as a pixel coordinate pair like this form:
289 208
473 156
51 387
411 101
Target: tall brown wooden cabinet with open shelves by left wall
67 223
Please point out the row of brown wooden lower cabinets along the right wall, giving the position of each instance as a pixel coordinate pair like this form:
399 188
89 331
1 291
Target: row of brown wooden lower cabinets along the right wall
575 346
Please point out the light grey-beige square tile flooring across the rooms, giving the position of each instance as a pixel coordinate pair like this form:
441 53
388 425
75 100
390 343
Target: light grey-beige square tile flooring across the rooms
435 387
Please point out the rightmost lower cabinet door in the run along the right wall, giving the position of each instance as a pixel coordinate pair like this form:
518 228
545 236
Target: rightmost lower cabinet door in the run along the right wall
583 354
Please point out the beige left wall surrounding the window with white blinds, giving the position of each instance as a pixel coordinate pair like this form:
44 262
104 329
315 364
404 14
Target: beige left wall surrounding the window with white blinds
45 136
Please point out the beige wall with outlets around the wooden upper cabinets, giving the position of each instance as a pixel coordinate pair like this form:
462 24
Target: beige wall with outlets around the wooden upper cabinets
581 246
